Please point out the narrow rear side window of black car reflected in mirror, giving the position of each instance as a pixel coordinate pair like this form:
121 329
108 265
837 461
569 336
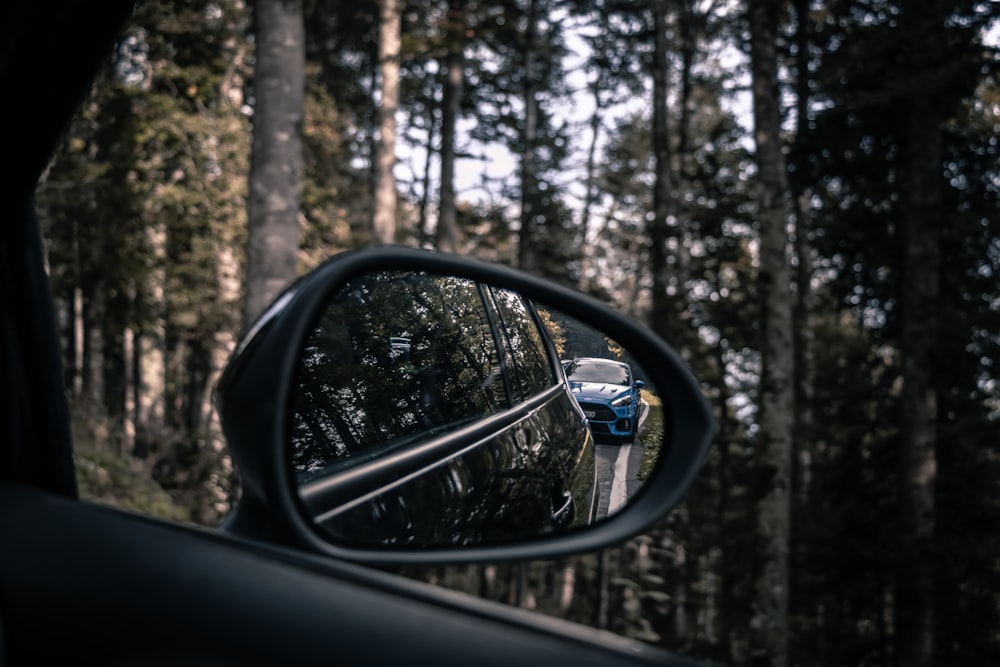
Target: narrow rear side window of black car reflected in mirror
528 356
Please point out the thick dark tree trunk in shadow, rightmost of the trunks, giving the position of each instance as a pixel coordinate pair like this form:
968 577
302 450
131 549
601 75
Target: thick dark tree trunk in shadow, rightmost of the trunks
920 223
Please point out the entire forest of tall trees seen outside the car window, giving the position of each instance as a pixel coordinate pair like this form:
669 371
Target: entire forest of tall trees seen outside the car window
801 197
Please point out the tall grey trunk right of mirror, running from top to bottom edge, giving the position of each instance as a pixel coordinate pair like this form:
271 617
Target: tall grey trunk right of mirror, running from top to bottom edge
776 401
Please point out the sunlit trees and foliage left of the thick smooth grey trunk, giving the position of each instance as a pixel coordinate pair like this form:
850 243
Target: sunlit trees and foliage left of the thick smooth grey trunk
142 242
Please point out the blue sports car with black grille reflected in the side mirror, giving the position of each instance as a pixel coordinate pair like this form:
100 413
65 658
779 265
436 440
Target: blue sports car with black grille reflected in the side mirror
608 395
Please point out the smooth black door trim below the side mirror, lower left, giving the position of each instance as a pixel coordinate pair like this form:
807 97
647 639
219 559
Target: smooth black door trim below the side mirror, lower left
124 589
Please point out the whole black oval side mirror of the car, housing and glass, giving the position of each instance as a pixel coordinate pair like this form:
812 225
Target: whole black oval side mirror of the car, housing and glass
399 406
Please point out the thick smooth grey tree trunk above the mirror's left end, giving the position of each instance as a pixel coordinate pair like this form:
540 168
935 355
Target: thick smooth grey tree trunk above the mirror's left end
276 160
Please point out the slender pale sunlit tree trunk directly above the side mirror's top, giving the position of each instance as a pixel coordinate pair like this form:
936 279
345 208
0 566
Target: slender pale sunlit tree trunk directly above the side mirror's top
384 211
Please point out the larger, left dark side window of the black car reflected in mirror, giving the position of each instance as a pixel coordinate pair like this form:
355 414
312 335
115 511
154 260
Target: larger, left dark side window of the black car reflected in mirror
396 358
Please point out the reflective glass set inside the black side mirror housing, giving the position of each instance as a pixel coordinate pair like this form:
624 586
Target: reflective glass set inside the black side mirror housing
434 411
